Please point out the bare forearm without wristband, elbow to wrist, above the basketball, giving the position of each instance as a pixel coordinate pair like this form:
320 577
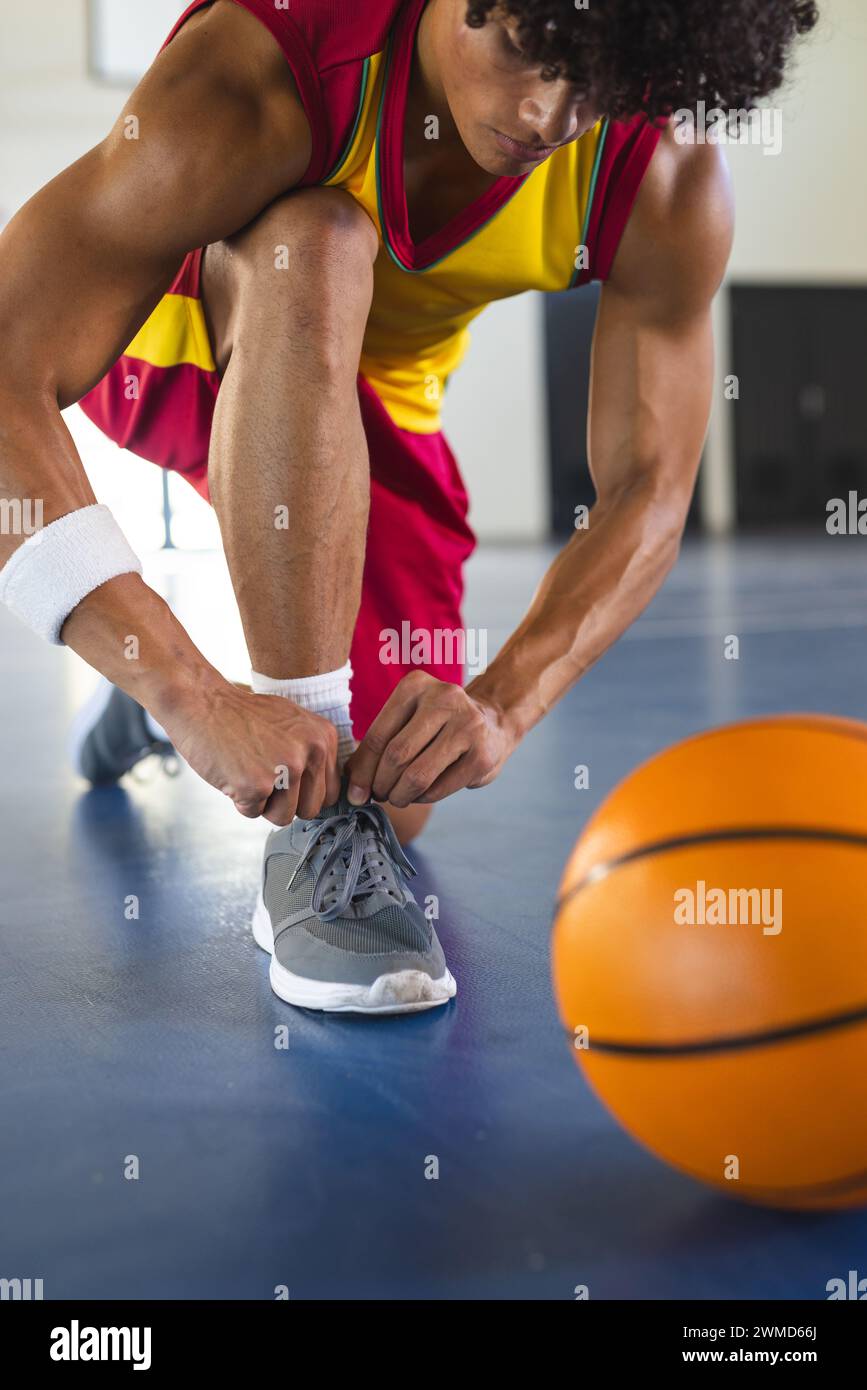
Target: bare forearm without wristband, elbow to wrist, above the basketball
597 587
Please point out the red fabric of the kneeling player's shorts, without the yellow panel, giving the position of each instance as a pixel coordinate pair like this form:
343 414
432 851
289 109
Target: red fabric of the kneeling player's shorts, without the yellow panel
418 539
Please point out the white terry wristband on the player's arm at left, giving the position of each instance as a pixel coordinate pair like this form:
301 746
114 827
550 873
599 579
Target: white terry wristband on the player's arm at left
60 565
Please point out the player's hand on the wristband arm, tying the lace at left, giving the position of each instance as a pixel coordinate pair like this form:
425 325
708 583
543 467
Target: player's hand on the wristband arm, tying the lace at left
272 758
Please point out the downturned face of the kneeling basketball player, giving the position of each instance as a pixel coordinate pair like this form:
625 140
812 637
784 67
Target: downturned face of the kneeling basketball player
509 119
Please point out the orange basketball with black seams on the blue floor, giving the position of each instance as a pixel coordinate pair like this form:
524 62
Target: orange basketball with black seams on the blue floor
711 958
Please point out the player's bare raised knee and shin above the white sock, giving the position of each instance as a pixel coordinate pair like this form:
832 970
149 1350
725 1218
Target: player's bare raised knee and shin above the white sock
290 475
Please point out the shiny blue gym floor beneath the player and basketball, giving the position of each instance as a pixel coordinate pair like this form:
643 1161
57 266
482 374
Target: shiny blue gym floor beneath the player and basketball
306 1167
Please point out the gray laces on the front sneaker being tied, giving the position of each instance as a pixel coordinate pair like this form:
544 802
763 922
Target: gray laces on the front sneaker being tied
363 854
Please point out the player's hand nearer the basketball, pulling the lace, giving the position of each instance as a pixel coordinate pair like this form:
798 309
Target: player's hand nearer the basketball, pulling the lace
430 740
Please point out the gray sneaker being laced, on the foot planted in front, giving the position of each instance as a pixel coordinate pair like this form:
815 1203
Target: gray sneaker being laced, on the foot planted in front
340 921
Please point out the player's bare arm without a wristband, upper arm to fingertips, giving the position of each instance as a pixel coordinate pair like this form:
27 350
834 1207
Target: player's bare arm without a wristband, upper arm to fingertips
650 405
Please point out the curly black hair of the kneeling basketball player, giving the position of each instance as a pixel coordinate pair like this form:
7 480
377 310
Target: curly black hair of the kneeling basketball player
659 56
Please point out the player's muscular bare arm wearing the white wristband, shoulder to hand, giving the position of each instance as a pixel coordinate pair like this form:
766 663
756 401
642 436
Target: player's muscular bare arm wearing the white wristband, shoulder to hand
222 133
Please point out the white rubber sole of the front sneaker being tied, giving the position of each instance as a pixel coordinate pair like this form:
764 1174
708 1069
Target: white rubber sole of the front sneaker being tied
405 992
